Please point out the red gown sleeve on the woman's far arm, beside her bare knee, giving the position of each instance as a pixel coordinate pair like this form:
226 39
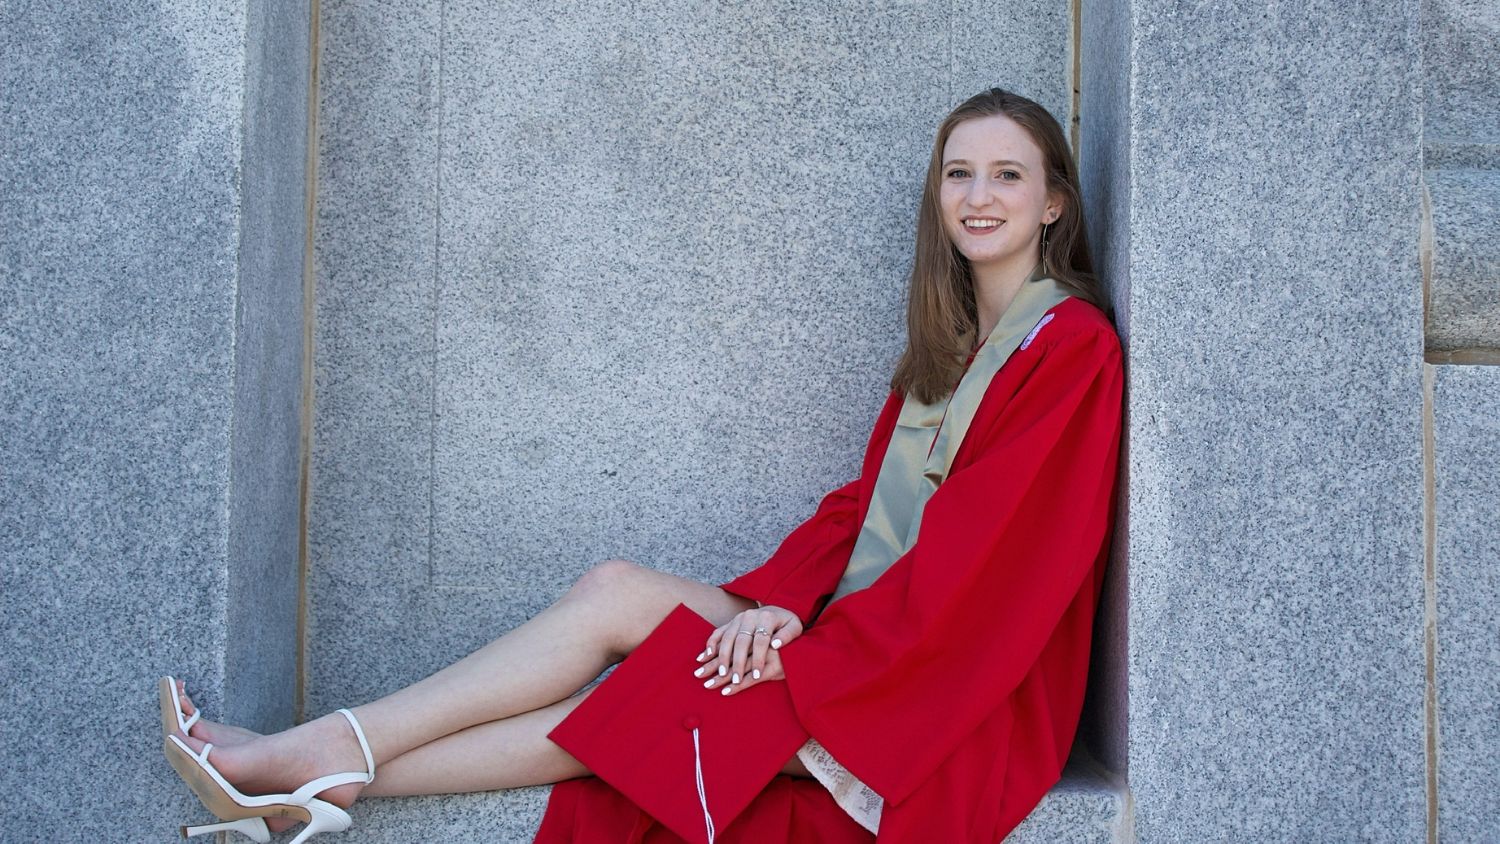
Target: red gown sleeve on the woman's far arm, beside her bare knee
811 561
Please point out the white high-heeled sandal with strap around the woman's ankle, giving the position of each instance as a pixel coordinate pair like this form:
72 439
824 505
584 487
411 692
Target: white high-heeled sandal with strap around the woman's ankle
230 806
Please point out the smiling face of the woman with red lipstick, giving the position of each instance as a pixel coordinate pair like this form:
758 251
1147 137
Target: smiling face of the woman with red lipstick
994 196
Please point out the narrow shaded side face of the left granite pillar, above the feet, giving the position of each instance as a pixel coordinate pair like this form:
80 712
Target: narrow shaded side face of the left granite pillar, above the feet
266 446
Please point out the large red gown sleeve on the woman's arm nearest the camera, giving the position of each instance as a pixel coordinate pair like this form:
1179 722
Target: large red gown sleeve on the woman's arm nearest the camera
895 677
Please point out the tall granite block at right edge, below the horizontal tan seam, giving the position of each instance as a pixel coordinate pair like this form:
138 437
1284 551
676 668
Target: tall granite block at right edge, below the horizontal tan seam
1466 415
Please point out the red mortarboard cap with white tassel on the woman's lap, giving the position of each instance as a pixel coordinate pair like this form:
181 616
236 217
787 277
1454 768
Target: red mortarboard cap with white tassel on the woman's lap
637 732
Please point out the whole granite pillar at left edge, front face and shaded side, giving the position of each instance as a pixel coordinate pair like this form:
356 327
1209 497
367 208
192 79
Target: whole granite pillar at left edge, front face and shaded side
145 404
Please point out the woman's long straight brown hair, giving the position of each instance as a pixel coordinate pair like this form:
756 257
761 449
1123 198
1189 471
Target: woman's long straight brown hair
941 311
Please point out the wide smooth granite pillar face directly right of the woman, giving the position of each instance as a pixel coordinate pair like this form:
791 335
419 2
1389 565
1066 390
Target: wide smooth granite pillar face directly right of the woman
1276 473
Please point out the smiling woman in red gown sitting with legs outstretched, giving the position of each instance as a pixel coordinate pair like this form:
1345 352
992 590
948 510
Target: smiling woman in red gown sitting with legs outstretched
929 624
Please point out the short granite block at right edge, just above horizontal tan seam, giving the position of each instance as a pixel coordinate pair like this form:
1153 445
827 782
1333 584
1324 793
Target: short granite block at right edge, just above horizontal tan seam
1463 307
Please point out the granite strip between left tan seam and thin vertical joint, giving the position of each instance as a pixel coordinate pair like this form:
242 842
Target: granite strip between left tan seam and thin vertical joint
376 241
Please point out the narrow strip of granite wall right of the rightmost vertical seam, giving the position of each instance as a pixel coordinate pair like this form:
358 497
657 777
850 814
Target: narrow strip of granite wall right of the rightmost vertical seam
1462 158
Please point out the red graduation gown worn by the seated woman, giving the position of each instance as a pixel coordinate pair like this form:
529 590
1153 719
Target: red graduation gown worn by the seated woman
955 683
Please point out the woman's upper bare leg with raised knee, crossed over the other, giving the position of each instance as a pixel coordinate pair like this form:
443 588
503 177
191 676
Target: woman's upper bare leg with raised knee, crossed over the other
599 621
